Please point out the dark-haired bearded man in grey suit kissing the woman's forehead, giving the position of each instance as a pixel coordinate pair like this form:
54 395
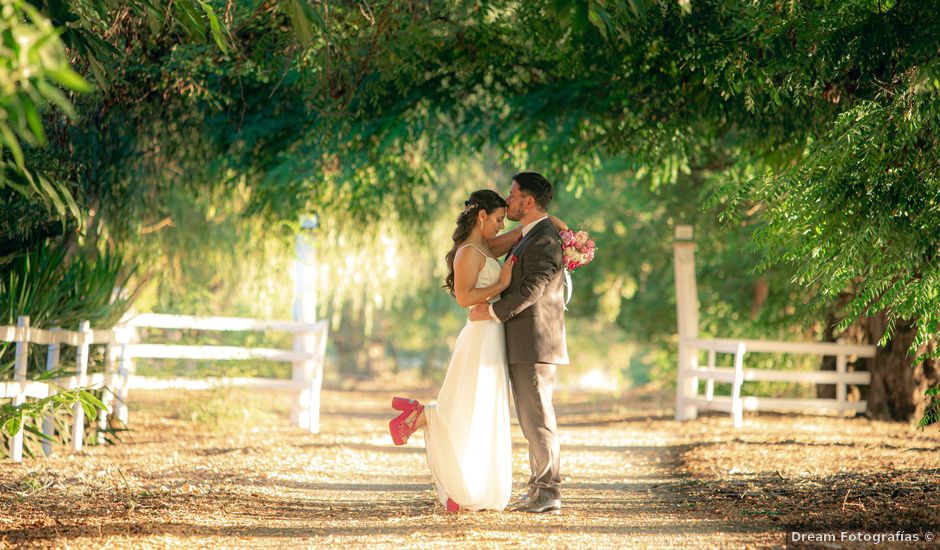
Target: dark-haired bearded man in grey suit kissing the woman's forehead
532 310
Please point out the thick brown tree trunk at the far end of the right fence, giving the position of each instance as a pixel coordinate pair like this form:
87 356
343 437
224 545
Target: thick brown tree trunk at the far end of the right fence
897 386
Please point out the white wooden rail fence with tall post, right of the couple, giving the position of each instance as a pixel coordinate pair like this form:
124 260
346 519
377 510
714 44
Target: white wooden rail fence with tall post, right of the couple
690 373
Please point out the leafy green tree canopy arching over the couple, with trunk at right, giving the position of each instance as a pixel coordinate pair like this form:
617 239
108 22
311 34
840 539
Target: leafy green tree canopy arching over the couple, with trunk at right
813 122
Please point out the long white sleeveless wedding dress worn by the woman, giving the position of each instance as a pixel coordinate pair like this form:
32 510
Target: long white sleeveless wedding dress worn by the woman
467 436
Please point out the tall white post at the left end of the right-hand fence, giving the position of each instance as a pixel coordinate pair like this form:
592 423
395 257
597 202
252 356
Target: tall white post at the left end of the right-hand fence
686 316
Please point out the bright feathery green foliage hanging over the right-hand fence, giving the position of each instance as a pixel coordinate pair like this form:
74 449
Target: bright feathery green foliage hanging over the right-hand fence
861 209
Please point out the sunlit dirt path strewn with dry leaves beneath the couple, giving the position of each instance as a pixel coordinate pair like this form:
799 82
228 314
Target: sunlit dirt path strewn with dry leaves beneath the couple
632 478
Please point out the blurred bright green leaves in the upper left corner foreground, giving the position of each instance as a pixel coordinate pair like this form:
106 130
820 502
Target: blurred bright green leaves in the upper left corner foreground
34 64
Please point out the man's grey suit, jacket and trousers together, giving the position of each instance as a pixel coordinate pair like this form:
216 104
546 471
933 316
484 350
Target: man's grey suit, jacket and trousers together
532 310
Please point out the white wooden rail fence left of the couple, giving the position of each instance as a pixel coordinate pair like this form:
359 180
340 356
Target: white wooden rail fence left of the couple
123 346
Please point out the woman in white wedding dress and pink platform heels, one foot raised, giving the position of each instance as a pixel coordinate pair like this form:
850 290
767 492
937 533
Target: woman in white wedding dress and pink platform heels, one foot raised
467 437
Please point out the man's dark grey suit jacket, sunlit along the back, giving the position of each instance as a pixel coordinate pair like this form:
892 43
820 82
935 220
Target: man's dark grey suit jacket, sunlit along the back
532 308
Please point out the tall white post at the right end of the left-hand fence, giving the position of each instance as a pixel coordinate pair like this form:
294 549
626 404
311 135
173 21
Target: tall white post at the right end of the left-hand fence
305 409
